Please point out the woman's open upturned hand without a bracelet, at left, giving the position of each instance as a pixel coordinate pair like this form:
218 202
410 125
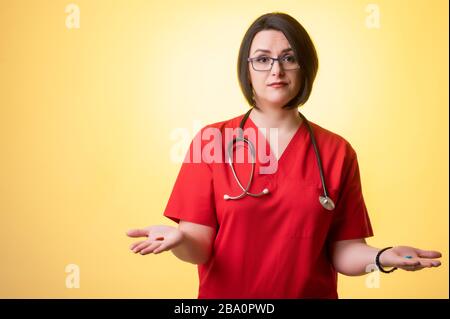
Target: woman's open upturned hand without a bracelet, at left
159 238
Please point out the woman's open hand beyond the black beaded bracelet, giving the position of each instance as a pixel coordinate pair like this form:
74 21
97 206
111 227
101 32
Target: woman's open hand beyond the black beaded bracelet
409 258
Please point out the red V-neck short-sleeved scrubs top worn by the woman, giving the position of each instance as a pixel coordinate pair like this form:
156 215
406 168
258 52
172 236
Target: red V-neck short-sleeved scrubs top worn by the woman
274 246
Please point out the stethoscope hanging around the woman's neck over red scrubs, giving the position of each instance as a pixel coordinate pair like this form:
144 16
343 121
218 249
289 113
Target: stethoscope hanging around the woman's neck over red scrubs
324 200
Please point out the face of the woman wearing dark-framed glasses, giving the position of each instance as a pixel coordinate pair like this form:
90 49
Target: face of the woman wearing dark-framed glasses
266 95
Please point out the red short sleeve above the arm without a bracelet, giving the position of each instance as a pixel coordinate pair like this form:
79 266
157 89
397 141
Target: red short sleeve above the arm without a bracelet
192 196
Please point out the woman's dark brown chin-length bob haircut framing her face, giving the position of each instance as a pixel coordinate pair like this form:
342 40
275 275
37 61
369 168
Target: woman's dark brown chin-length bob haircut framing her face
301 44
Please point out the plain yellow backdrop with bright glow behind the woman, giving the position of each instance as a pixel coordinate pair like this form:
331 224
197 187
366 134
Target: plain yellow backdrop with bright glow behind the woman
87 114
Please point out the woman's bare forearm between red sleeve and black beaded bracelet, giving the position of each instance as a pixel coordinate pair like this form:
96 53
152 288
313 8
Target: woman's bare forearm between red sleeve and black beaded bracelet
354 257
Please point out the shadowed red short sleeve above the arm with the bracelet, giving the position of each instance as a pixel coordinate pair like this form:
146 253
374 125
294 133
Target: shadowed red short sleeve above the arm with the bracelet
351 220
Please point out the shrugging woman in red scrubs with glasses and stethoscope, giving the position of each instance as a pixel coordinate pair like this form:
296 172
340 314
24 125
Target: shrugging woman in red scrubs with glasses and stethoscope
273 238
